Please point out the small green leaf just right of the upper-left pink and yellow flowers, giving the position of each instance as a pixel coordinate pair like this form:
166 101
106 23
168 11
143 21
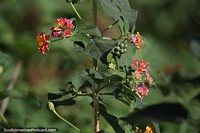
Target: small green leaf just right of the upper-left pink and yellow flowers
91 31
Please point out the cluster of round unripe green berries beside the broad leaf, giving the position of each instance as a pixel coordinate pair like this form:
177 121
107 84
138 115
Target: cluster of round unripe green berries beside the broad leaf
120 49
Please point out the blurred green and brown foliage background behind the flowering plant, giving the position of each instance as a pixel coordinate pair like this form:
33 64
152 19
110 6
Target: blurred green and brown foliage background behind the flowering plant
169 29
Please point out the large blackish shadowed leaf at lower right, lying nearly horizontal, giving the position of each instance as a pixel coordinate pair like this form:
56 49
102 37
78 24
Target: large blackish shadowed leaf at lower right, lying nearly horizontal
172 112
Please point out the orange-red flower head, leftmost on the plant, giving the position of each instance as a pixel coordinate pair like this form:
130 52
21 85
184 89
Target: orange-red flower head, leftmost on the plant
43 42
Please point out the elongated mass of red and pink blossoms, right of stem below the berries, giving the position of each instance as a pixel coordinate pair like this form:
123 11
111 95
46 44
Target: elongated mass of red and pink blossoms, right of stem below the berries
142 77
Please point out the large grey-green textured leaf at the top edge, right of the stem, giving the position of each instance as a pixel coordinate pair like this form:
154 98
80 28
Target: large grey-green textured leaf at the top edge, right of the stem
120 10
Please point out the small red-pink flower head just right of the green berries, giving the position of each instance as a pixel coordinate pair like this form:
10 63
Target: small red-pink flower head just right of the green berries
137 40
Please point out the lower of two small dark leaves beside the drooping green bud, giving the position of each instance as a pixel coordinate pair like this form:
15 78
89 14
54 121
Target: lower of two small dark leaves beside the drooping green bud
66 102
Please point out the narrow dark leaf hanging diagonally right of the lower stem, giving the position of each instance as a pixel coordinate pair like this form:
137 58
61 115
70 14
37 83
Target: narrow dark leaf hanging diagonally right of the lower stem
112 120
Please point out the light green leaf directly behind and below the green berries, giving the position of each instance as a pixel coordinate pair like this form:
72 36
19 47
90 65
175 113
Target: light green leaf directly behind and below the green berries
126 59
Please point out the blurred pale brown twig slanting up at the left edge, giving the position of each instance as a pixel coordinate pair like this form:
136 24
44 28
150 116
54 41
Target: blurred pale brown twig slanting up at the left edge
11 85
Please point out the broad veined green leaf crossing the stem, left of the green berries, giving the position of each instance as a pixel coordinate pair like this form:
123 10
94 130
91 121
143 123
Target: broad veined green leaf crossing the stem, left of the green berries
97 48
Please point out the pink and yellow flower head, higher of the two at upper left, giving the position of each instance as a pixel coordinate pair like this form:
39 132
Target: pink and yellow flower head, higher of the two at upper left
63 29
